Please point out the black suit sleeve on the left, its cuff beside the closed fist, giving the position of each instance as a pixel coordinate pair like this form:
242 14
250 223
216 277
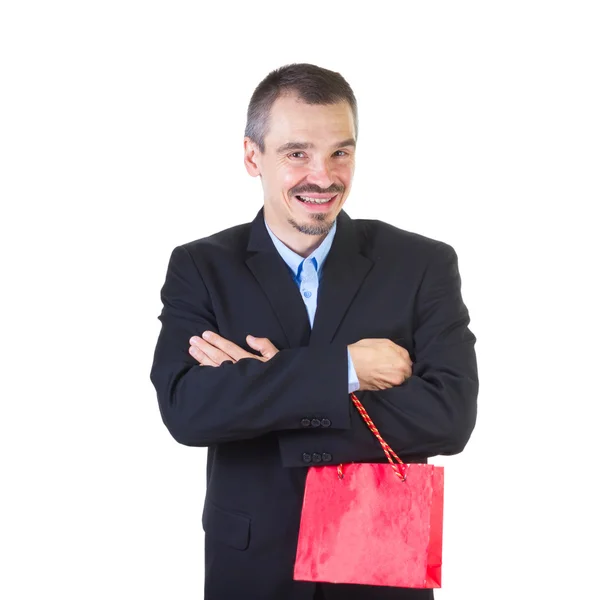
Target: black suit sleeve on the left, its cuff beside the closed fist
203 405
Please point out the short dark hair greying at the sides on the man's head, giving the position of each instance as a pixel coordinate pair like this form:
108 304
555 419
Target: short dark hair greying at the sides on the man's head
314 85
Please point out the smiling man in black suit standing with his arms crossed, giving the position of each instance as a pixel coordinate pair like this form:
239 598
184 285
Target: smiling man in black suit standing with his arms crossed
267 327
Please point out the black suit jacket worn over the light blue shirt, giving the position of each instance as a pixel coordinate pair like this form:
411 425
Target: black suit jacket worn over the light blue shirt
266 422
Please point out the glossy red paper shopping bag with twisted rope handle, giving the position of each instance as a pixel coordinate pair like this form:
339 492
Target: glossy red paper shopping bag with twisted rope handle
372 523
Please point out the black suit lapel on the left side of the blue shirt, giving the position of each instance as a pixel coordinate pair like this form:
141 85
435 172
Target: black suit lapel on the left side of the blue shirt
275 278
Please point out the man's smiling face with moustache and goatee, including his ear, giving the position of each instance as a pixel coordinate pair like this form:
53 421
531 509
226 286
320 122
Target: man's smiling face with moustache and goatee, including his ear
310 153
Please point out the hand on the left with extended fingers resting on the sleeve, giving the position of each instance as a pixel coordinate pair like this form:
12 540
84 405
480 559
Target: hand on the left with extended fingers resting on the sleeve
212 349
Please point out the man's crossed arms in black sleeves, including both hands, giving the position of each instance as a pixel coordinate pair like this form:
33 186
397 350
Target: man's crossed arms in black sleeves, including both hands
207 399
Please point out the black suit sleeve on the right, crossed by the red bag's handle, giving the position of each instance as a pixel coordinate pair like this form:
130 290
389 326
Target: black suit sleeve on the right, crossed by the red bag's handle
434 411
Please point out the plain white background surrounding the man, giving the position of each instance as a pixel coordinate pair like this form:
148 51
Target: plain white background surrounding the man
121 137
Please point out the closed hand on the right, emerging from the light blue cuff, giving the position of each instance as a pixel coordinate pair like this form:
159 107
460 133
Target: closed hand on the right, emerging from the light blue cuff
380 363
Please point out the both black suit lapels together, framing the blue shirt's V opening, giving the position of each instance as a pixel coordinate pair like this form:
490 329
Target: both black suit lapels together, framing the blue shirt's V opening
343 273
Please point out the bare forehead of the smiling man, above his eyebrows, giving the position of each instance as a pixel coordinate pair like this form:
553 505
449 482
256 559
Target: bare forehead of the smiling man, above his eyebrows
292 119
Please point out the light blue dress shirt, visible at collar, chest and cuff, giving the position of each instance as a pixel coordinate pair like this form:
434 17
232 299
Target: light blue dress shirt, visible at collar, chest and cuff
307 273
